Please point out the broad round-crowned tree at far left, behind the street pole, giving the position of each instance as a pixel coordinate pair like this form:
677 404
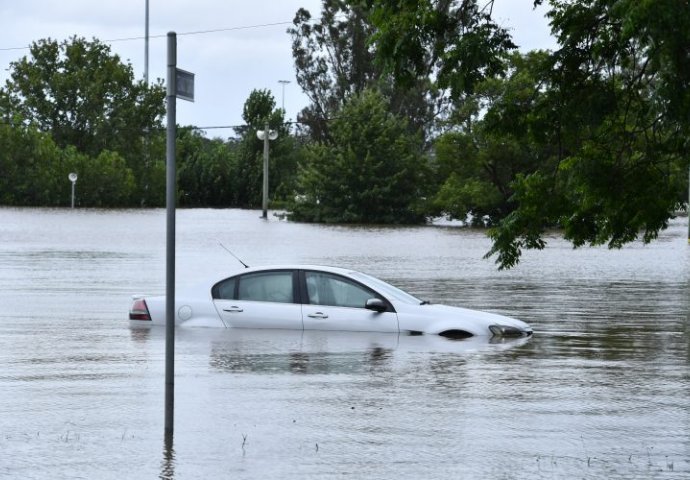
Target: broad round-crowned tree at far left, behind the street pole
85 97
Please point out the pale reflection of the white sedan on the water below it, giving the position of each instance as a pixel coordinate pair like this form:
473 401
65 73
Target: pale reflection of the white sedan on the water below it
316 352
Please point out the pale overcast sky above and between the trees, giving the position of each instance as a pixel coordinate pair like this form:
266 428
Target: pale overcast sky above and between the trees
245 46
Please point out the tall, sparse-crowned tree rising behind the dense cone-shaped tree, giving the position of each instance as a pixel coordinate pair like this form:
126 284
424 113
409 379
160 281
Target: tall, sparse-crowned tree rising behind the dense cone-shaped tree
335 59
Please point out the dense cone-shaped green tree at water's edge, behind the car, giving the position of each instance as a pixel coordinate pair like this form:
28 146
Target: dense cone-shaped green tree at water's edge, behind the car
373 171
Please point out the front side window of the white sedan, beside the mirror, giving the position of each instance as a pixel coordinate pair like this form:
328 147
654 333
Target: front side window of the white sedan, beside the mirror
334 290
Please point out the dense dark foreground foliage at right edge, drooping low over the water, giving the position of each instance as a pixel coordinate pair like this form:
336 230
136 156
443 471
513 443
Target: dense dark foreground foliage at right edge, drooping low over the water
620 103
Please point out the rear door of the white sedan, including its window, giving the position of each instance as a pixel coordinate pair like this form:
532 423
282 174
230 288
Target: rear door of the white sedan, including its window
265 299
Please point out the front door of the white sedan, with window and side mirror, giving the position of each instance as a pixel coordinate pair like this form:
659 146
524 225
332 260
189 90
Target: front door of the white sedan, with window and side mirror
334 302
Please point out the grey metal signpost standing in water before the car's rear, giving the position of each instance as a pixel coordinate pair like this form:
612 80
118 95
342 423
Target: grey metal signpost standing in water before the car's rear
171 194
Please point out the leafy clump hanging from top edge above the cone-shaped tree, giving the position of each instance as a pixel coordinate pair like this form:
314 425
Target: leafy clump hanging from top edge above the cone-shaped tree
457 43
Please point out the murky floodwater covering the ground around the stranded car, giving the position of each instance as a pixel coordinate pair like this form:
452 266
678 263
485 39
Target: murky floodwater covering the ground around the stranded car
602 390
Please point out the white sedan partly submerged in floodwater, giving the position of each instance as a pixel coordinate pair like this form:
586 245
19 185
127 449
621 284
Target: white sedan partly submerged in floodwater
307 297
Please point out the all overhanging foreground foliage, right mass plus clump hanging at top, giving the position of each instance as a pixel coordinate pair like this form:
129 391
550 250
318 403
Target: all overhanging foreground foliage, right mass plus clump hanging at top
607 137
